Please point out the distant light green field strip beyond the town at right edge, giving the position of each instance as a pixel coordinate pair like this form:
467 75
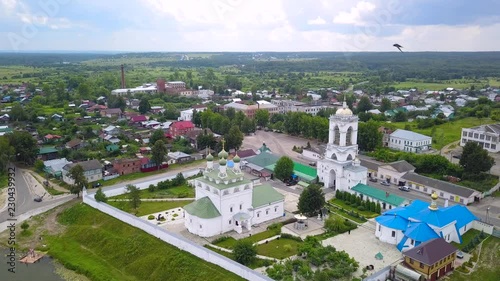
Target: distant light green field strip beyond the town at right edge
441 85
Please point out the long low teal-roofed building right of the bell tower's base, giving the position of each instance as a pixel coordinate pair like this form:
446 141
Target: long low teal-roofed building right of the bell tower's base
387 200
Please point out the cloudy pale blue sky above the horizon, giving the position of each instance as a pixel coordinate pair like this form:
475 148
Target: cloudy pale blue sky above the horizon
249 25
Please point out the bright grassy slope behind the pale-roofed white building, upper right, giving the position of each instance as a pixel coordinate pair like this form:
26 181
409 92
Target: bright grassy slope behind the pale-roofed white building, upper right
448 132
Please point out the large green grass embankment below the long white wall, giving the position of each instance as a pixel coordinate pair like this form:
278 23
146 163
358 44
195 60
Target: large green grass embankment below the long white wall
104 248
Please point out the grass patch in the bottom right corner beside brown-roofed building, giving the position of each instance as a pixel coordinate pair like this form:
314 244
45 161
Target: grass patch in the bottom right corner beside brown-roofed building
487 268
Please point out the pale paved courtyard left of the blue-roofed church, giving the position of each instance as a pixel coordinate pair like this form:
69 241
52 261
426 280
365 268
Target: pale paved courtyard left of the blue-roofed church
362 245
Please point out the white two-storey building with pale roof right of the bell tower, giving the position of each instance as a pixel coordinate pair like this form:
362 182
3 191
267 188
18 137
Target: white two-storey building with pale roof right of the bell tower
409 141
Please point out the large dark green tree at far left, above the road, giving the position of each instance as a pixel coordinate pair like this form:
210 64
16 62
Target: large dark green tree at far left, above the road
25 147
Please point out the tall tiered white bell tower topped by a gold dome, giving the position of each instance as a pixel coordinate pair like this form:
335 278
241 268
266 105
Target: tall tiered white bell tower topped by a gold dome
340 168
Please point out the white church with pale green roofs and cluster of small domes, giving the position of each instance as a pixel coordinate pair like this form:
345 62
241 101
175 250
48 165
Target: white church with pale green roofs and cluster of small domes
226 200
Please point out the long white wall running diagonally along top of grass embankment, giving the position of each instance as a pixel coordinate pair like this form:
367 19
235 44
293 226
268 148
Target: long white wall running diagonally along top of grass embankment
175 240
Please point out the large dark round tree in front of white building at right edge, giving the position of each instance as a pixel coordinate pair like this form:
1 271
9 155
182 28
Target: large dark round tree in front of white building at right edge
475 159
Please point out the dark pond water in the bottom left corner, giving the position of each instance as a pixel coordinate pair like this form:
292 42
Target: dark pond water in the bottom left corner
43 270
